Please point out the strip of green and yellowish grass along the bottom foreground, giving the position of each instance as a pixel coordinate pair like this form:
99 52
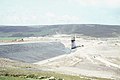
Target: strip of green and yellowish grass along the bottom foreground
23 74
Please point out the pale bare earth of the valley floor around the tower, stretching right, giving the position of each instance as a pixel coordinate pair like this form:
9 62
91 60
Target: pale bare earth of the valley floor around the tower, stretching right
97 58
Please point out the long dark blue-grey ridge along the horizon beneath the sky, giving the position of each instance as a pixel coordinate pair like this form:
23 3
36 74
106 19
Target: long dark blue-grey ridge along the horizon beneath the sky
93 30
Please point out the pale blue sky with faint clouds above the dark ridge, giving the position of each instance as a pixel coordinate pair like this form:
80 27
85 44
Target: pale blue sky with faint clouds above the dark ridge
50 12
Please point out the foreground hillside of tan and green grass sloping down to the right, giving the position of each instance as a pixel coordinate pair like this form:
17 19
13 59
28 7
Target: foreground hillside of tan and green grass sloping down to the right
14 70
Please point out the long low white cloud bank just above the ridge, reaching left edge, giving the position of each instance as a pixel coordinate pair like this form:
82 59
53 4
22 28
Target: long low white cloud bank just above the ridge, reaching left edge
48 18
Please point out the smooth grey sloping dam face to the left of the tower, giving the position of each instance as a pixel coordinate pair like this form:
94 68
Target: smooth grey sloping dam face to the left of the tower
32 52
